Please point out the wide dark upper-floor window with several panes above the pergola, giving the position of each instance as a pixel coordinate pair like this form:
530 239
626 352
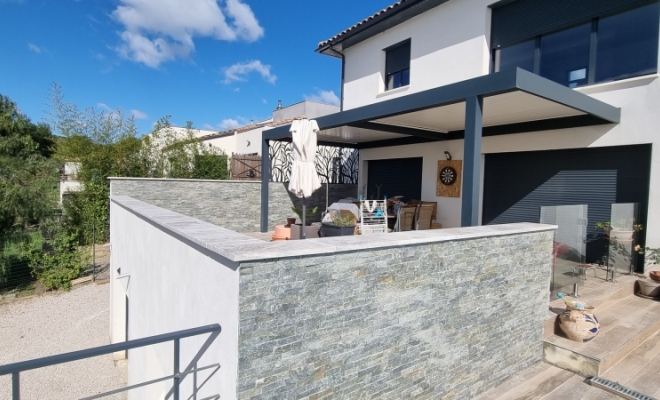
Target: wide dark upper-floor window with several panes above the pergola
603 49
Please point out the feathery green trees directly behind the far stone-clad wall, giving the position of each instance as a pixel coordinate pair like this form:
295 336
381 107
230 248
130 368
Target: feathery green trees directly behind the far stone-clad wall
107 145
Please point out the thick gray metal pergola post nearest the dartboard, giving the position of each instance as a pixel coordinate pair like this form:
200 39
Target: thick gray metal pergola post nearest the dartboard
472 161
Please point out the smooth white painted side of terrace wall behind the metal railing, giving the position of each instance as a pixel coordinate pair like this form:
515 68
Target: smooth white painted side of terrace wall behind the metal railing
163 270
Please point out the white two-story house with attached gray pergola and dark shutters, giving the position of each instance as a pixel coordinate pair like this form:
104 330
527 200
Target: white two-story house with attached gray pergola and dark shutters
546 103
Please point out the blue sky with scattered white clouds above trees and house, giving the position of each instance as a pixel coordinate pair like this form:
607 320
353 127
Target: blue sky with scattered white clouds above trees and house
219 64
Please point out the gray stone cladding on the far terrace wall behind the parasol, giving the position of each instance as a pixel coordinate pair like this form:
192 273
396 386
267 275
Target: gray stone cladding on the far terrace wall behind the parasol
234 205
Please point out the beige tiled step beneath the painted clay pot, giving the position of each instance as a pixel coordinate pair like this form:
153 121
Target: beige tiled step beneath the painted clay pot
625 323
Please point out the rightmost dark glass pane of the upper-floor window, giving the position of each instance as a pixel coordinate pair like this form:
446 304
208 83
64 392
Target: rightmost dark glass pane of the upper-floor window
628 44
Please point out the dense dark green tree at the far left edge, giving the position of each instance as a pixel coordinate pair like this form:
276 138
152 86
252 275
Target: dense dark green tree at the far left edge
28 177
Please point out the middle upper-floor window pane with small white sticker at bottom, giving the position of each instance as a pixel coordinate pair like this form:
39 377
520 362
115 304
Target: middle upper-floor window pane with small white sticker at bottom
565 56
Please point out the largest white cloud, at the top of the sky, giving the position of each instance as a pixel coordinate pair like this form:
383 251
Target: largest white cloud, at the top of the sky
156 31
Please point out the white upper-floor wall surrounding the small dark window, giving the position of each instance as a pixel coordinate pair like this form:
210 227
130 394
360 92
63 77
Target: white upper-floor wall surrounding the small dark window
449 43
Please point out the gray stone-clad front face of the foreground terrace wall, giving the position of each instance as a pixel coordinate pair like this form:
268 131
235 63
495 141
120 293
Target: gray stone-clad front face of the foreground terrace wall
429 321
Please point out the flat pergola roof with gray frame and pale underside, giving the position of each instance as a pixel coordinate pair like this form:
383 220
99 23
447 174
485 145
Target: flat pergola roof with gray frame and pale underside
513 101
